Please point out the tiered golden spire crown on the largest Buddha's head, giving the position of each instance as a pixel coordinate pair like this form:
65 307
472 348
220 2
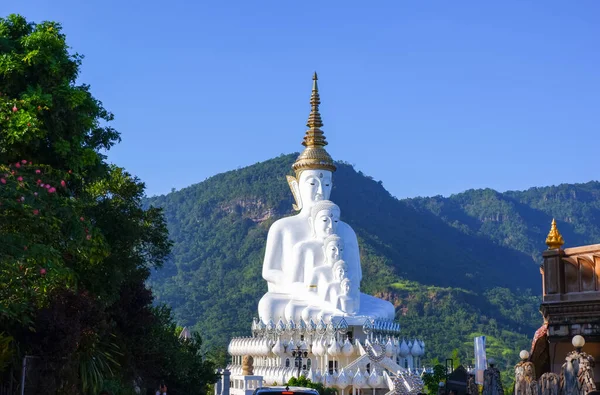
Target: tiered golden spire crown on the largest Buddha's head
314 155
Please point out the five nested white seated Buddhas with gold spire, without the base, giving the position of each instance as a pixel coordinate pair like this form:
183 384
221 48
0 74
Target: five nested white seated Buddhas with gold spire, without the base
312 262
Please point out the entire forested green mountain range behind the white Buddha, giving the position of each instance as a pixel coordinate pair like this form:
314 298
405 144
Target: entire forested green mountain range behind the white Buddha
454 267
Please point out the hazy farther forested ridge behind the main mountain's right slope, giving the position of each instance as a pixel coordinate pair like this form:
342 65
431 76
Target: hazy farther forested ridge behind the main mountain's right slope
518 220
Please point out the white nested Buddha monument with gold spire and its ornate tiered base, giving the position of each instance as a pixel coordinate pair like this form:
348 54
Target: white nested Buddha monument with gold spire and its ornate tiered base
313 320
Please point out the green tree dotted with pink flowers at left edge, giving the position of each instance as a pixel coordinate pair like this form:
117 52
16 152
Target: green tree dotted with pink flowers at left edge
45 237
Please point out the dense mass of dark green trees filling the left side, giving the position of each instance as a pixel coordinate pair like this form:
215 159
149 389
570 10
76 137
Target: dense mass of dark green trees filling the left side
76 245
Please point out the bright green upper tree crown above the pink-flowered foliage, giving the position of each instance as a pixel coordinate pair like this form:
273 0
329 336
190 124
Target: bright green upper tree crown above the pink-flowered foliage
44 114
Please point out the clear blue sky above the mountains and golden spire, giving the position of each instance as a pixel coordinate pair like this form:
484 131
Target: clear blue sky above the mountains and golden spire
431 97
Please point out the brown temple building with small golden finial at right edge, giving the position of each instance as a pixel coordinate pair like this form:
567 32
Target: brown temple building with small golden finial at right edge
570 305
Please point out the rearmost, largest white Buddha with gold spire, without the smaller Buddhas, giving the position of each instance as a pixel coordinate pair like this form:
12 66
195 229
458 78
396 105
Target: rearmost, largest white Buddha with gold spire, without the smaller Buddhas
312 184
